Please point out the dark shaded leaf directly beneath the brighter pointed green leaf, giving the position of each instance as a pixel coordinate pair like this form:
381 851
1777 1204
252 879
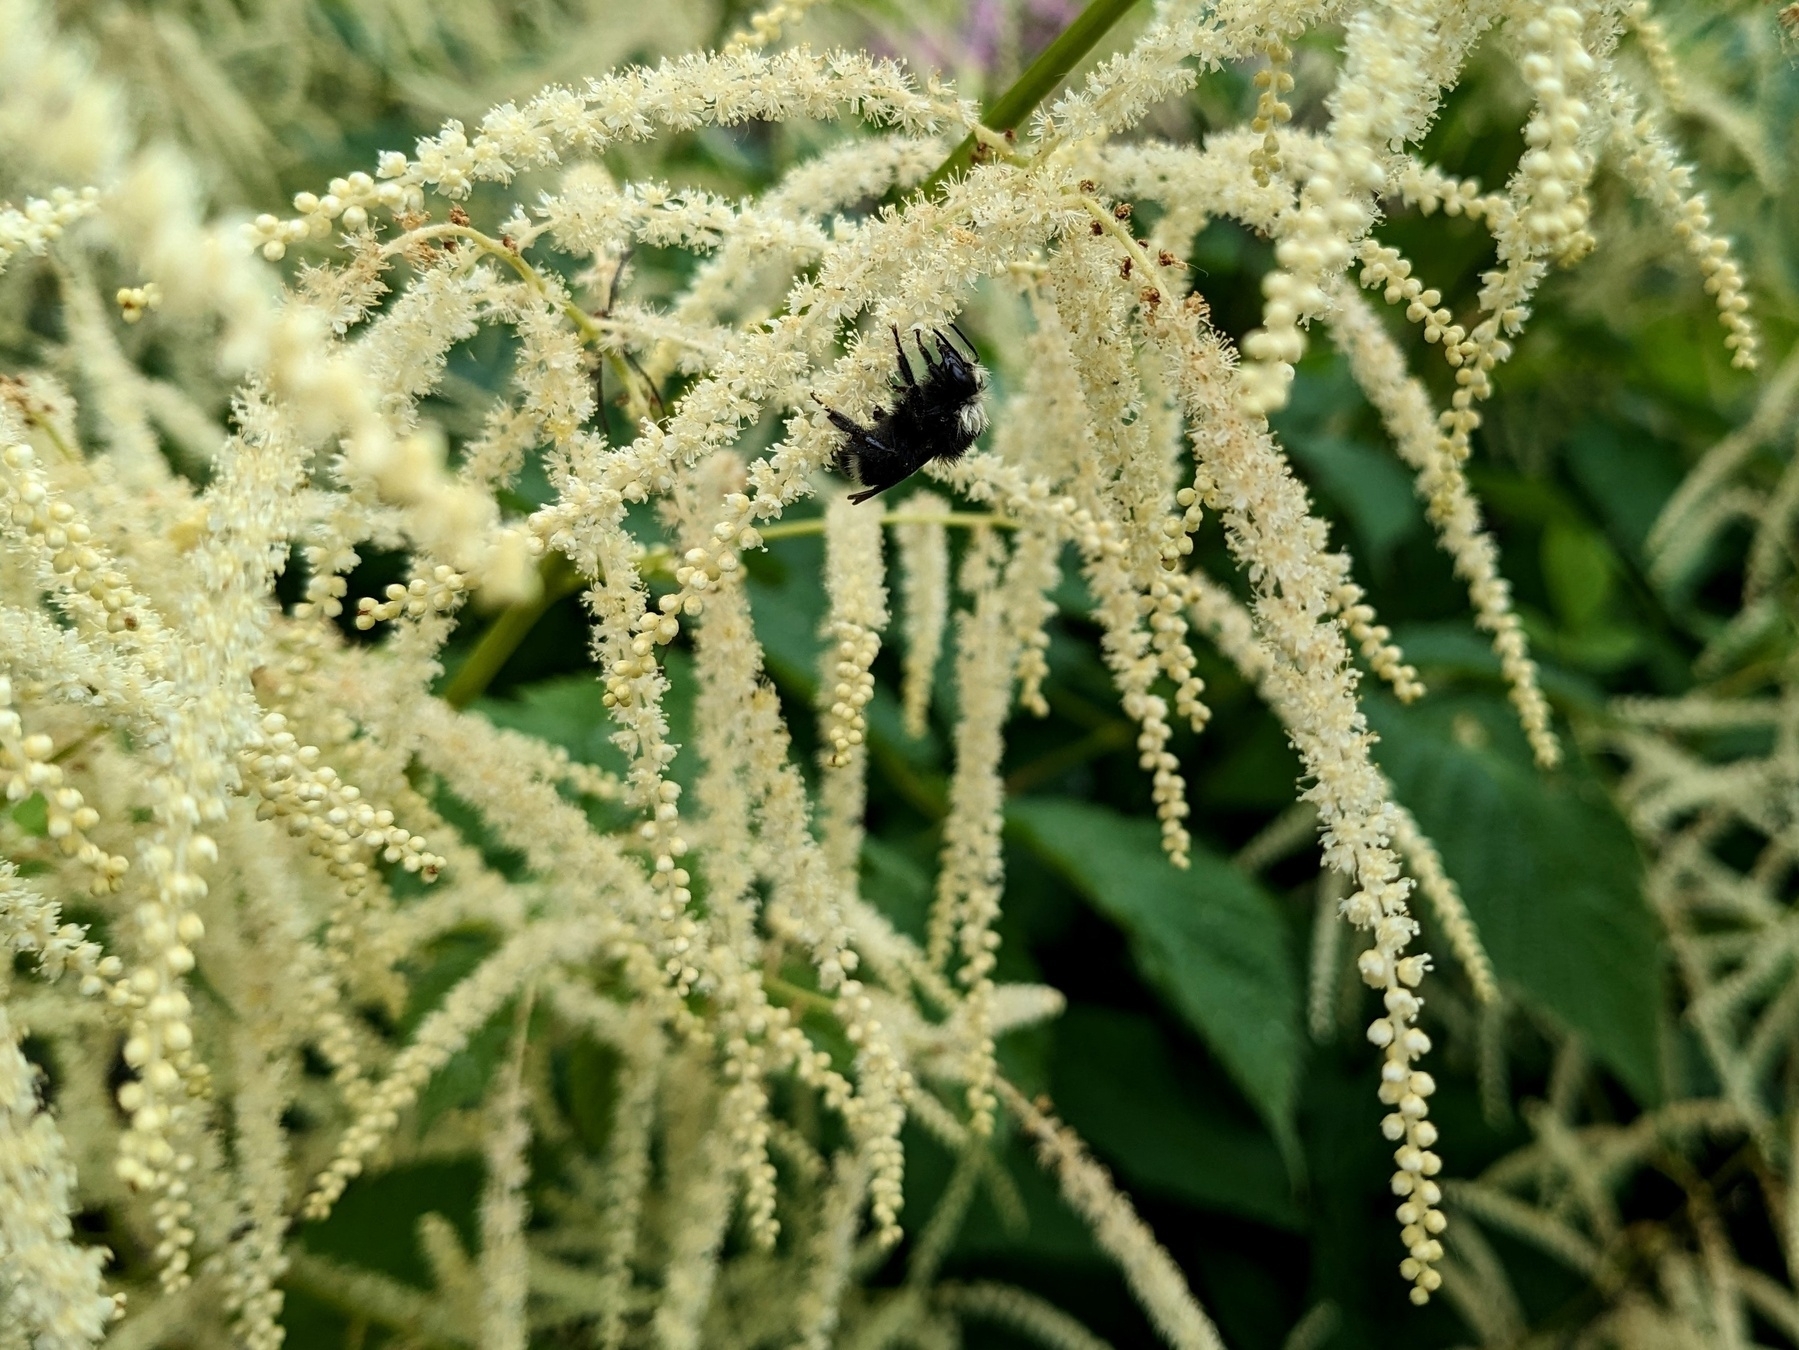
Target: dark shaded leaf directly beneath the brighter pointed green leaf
1123 1086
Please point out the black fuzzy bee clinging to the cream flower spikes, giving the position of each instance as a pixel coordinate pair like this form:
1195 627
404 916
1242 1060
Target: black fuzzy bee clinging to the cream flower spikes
935 420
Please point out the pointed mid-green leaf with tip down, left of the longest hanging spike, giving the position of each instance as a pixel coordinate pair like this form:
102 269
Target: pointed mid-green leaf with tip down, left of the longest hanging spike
1208 940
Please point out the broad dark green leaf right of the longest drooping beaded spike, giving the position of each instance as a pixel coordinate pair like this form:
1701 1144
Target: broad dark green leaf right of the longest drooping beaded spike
1546 867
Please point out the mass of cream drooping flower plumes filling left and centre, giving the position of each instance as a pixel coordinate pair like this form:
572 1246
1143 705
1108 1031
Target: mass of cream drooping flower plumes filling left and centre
701 915
